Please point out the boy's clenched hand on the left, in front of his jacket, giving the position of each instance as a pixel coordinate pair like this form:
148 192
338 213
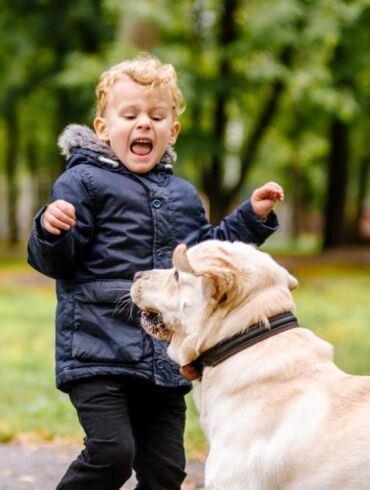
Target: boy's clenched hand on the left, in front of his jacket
59 215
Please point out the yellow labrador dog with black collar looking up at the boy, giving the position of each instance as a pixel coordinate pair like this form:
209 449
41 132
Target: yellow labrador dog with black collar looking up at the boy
278 413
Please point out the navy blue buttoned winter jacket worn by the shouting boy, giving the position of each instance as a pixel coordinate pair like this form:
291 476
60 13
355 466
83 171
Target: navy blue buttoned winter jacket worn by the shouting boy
126 223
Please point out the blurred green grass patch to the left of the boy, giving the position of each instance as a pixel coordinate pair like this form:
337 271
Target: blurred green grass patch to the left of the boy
29 400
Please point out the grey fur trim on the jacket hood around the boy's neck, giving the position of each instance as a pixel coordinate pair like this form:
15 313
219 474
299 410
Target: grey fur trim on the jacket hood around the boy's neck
79 136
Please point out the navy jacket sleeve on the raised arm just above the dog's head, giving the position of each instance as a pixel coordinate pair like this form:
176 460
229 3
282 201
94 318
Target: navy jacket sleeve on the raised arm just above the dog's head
241 225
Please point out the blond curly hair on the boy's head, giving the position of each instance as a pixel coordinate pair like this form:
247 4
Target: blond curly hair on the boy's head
146 70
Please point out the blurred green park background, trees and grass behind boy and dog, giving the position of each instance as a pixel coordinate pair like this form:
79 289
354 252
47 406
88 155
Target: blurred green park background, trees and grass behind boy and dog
275 90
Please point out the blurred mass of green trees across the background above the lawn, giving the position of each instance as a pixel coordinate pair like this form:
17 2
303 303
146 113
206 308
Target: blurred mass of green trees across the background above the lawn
275 88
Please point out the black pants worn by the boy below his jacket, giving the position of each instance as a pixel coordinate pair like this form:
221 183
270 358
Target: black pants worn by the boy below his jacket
129 423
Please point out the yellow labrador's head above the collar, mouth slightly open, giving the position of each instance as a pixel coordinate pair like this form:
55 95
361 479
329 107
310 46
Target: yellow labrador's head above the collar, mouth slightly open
214 290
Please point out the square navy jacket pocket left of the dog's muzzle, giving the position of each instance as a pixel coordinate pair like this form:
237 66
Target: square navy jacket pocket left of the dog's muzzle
105 327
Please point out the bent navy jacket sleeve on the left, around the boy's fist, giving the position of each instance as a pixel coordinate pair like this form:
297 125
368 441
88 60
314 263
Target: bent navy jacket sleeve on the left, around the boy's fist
58 256
